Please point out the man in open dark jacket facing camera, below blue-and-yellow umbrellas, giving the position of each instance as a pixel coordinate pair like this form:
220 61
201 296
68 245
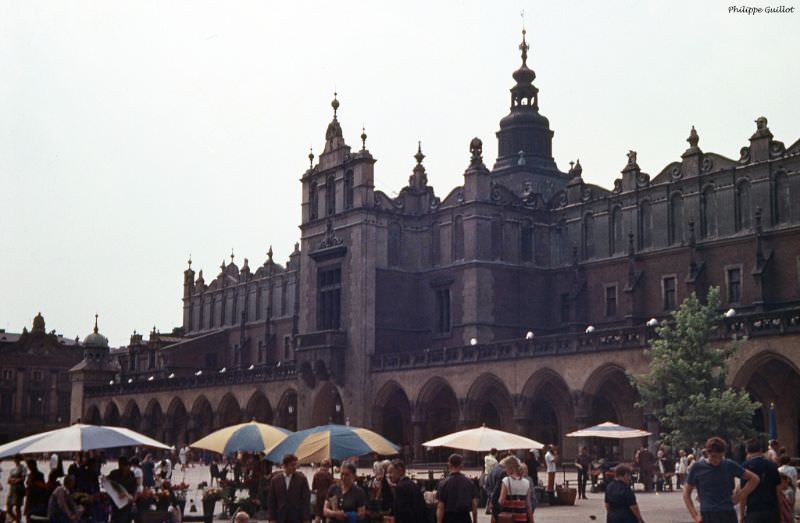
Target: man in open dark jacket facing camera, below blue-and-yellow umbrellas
289 495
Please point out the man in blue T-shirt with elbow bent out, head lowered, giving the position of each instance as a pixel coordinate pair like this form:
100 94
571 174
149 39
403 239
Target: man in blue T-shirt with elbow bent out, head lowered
713 477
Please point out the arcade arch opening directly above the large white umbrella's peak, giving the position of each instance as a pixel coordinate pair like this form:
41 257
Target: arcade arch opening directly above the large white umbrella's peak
490 403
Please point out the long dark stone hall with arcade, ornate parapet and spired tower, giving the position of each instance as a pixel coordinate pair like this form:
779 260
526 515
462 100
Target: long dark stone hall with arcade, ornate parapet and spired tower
518 300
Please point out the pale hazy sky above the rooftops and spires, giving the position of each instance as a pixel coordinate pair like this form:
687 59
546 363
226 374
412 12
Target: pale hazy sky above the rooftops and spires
134 134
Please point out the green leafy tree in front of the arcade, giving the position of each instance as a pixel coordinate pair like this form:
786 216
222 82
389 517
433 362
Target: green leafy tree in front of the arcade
684 387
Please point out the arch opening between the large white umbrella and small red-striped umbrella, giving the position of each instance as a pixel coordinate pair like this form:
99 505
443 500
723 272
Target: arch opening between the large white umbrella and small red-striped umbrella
547 407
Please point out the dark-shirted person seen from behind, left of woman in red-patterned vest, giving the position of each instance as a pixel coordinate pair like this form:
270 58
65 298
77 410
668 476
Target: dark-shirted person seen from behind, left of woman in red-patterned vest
457 495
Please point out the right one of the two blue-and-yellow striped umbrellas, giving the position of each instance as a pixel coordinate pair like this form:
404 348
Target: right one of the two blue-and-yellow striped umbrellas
331 442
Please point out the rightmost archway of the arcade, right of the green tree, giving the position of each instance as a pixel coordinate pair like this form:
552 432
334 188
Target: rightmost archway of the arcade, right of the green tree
772 379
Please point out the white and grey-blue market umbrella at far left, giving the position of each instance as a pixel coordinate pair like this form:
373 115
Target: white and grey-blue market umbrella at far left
78 438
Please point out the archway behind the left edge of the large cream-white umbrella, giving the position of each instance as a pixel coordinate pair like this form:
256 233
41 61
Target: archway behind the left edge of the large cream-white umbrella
438 406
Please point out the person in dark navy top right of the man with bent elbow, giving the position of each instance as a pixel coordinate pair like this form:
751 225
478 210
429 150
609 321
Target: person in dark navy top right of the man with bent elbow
761 505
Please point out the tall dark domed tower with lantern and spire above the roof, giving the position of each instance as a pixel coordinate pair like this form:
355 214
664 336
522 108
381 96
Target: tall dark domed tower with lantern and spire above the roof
525 154
